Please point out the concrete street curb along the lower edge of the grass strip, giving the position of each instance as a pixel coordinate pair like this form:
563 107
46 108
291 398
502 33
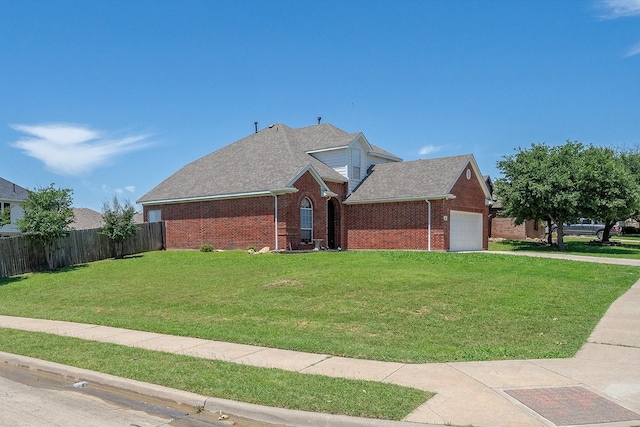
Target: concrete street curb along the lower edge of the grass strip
254 412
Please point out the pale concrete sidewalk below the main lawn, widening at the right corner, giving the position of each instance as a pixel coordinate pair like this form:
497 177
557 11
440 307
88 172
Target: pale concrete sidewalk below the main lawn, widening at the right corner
600 386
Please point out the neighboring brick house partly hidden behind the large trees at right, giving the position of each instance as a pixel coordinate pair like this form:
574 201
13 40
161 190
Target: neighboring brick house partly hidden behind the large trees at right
505 227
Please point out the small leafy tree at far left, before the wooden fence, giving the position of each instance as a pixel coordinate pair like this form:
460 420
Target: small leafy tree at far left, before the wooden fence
47 216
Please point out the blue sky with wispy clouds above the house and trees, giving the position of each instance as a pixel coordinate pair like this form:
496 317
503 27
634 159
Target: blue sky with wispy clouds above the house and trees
111 97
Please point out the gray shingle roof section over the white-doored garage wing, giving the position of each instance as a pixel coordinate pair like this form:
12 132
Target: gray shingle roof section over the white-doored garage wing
413 180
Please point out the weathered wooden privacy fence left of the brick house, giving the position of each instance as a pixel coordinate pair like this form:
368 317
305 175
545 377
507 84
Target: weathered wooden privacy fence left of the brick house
20 254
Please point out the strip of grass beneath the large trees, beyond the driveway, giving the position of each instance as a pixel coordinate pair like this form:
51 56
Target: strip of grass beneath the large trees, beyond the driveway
628 247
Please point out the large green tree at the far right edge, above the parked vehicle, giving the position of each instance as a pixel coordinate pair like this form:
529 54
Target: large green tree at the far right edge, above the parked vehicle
609 191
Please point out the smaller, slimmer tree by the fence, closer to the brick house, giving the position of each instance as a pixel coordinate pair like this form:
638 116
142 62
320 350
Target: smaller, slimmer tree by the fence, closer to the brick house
118 223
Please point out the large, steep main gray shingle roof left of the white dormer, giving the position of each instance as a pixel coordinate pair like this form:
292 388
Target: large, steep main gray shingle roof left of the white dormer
267 160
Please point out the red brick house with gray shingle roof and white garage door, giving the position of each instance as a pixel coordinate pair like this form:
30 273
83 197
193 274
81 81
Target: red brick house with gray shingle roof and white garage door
316 186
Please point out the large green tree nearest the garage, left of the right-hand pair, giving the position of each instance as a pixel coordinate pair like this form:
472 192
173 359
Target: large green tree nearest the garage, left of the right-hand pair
541 183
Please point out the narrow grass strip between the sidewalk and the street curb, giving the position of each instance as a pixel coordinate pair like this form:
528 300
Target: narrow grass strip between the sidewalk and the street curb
271 387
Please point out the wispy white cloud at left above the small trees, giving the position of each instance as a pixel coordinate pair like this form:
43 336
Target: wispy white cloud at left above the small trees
73 150
